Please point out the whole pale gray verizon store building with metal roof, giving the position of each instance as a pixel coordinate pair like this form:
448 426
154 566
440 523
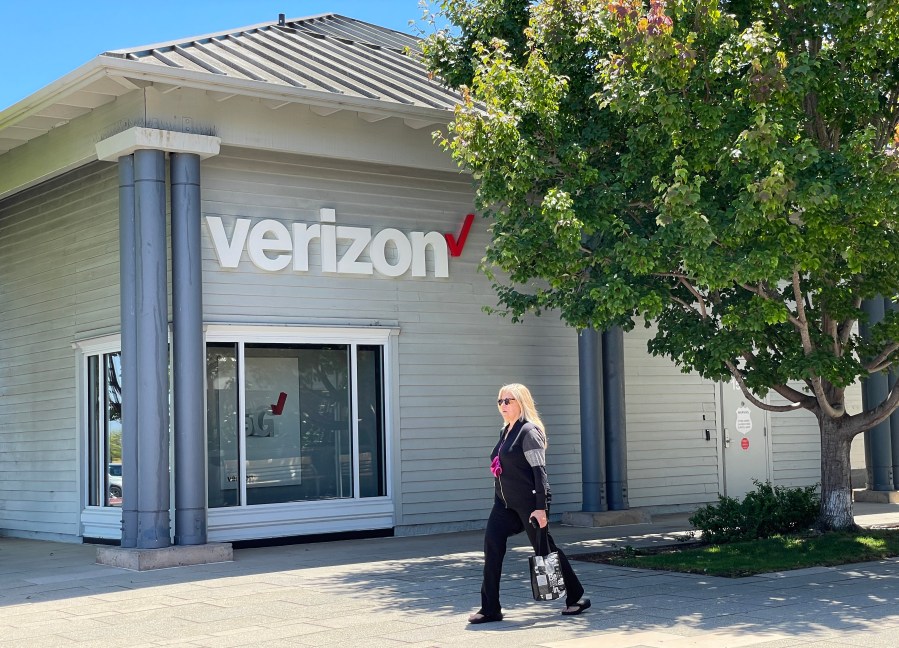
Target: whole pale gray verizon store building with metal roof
244 254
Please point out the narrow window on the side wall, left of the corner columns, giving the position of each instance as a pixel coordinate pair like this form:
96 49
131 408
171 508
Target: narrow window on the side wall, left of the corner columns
104 423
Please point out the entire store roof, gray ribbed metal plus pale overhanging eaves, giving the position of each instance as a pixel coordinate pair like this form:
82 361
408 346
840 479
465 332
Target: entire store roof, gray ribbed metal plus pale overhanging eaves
328 61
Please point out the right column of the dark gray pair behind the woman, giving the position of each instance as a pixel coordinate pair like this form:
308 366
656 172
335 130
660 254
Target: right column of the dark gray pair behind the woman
616 433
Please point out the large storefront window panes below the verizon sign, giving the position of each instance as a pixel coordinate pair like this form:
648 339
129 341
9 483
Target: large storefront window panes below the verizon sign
281 422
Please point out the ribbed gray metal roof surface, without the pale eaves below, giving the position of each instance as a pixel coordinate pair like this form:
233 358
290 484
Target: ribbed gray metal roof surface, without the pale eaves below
327 53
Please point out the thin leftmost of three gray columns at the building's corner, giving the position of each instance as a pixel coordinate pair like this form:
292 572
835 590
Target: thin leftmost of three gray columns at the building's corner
127 299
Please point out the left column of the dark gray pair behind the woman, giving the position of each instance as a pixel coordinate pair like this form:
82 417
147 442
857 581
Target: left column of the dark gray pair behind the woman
593 451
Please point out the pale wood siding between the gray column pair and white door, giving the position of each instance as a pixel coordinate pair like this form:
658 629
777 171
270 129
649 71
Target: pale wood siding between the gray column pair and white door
669 460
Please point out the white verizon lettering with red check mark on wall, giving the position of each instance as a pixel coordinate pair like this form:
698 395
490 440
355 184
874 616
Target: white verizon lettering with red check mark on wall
272 246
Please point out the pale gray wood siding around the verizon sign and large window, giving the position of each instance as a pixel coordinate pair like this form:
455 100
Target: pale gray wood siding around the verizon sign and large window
452 357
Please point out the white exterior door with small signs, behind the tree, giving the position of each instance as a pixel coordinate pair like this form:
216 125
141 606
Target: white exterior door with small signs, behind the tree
745 442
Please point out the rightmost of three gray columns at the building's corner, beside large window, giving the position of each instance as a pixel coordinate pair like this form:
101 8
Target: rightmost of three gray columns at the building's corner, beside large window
188 364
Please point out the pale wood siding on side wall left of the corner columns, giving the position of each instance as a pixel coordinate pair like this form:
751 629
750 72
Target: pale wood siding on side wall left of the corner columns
58 279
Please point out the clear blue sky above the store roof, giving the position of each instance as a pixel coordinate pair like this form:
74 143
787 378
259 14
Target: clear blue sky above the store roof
44 40
